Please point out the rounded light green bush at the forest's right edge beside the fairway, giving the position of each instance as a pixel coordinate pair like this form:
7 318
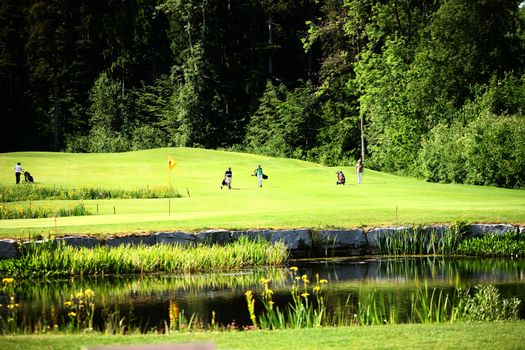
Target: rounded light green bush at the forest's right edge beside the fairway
489 150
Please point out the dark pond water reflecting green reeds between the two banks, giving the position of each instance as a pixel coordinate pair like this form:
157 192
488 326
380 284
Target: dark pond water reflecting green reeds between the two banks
147 297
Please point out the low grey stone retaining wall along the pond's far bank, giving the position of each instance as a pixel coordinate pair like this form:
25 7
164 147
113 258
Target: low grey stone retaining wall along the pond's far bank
301 242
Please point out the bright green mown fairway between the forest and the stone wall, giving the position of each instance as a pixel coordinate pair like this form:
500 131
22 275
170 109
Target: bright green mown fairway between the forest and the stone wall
297 194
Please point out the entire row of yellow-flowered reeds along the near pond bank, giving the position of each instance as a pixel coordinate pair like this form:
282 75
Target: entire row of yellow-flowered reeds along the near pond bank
307 309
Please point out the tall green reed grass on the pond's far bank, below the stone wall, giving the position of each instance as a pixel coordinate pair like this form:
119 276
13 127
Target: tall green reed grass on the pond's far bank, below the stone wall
54 258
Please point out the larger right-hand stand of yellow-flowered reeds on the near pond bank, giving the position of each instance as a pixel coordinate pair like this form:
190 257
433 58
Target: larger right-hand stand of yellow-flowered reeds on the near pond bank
308 307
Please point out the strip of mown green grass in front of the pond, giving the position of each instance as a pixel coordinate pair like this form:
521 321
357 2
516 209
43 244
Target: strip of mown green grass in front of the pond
488 335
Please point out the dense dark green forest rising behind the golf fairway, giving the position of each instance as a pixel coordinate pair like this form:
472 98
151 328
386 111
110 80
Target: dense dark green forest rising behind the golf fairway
433 89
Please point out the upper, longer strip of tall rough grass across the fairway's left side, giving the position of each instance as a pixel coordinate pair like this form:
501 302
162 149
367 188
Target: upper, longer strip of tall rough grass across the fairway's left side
31 192
